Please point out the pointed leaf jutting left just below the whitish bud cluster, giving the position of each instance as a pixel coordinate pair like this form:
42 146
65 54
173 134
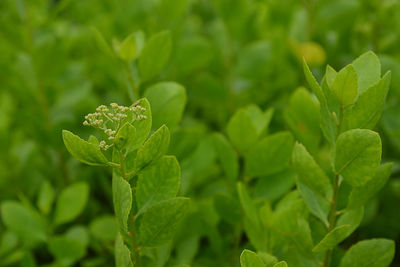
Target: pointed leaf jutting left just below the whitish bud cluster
82 150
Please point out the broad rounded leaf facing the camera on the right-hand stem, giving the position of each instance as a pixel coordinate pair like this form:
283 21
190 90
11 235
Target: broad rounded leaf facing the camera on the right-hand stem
358 154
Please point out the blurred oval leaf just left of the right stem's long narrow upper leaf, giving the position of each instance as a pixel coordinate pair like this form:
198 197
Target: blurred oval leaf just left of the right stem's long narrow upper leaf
303 118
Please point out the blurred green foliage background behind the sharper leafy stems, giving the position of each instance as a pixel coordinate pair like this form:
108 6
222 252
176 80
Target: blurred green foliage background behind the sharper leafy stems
226 53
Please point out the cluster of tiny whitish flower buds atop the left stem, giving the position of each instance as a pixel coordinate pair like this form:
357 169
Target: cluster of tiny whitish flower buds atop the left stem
110 119
